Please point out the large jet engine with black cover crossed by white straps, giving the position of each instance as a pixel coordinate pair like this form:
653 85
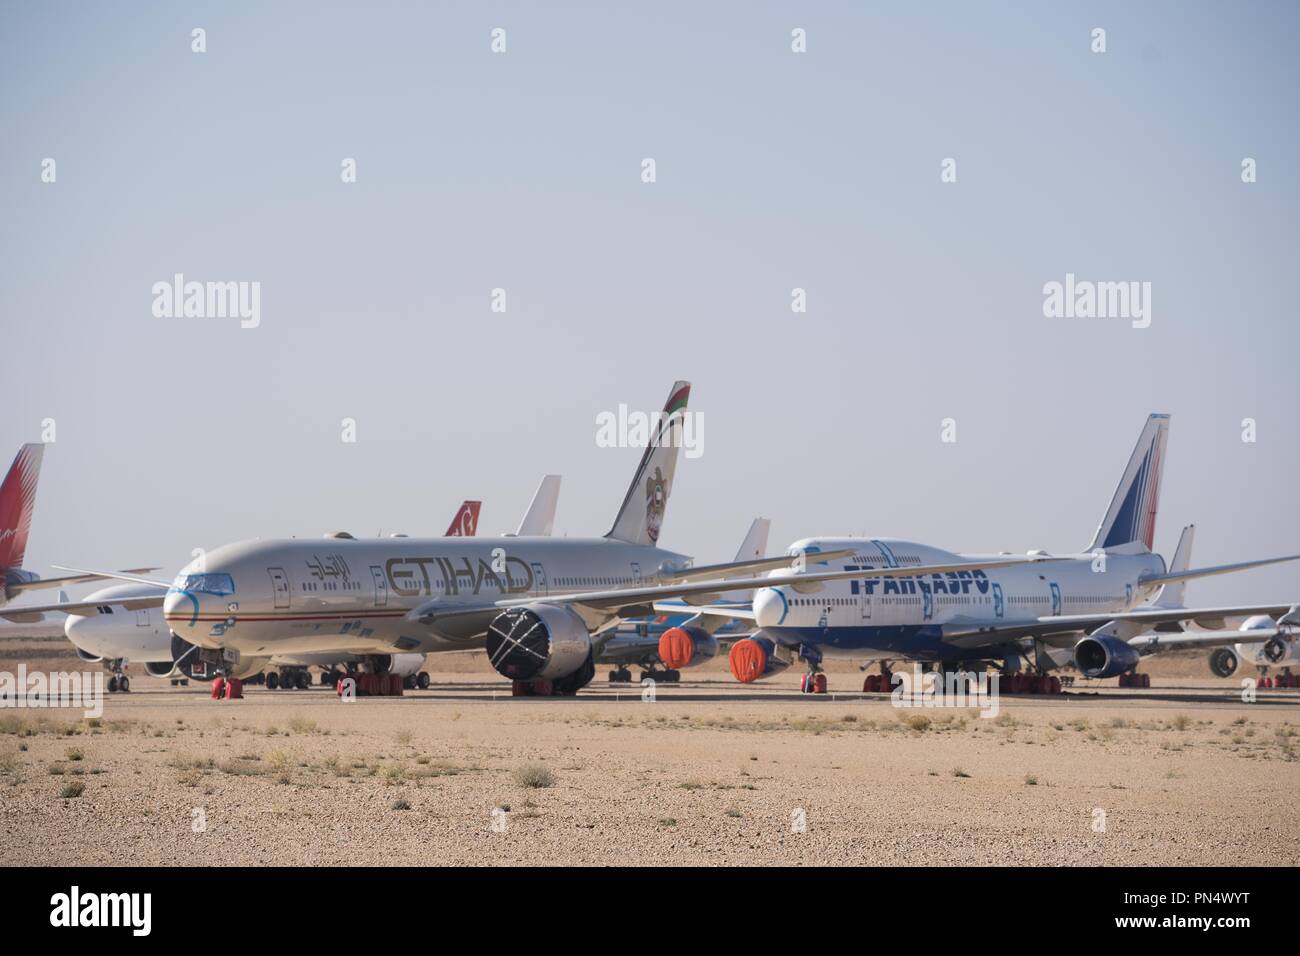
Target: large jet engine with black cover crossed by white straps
540 642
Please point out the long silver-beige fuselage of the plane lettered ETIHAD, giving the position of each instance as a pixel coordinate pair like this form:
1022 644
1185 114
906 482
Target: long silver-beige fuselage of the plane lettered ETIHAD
348 595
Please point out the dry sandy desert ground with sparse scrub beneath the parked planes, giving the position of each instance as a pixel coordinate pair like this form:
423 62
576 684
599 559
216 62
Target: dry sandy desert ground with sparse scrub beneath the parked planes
710 772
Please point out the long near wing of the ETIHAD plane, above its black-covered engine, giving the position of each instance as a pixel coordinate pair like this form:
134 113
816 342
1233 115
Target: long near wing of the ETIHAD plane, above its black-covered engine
600 608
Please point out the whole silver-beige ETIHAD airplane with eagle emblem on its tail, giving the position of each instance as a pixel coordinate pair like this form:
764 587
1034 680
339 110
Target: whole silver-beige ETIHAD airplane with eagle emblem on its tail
543 607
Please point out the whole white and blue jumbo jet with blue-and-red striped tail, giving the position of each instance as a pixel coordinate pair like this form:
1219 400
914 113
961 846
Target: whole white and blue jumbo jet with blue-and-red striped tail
1089 609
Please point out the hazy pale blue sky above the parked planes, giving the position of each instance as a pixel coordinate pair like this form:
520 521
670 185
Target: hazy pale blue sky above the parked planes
774 171
